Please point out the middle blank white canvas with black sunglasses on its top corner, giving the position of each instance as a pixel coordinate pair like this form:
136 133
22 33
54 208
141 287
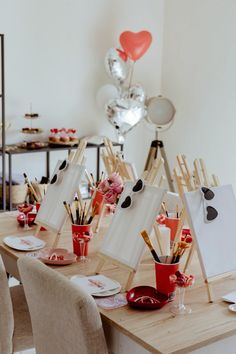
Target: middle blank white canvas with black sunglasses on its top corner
123 241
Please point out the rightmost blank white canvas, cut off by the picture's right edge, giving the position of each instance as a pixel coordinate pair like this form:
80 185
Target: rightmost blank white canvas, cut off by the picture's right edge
216 240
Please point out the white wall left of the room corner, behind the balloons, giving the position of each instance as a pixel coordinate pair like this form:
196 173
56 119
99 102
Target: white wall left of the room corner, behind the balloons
55 59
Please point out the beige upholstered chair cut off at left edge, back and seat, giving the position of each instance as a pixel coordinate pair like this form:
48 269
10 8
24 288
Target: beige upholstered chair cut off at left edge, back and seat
15 325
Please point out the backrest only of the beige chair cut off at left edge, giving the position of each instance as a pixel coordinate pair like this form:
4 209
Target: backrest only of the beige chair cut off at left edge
6 313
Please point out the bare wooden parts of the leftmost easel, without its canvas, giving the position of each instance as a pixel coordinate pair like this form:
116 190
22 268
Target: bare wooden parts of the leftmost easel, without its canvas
76 157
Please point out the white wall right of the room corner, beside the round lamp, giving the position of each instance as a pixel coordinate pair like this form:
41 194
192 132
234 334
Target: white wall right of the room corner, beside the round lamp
199 76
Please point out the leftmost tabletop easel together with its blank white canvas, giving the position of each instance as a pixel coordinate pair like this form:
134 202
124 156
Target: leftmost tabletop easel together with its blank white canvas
52 214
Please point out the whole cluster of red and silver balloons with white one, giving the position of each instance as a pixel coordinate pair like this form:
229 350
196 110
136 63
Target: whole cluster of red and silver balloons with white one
125 105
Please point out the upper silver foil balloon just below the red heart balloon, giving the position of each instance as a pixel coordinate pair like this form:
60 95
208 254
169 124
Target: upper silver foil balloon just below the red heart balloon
116 67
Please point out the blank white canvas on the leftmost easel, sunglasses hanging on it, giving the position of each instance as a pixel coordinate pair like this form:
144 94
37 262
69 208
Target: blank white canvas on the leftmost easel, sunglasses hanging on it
52 212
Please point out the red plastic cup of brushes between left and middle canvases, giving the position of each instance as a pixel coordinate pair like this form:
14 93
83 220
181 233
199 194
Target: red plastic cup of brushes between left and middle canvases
80 232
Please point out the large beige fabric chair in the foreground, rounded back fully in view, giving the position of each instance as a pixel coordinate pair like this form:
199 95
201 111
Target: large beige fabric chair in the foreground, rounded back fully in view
65 319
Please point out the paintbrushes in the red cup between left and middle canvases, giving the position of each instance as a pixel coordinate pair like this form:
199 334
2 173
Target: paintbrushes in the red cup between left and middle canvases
83 214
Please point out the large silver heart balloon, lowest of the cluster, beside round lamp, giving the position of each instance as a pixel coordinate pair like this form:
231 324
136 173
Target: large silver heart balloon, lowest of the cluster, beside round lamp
124 114
